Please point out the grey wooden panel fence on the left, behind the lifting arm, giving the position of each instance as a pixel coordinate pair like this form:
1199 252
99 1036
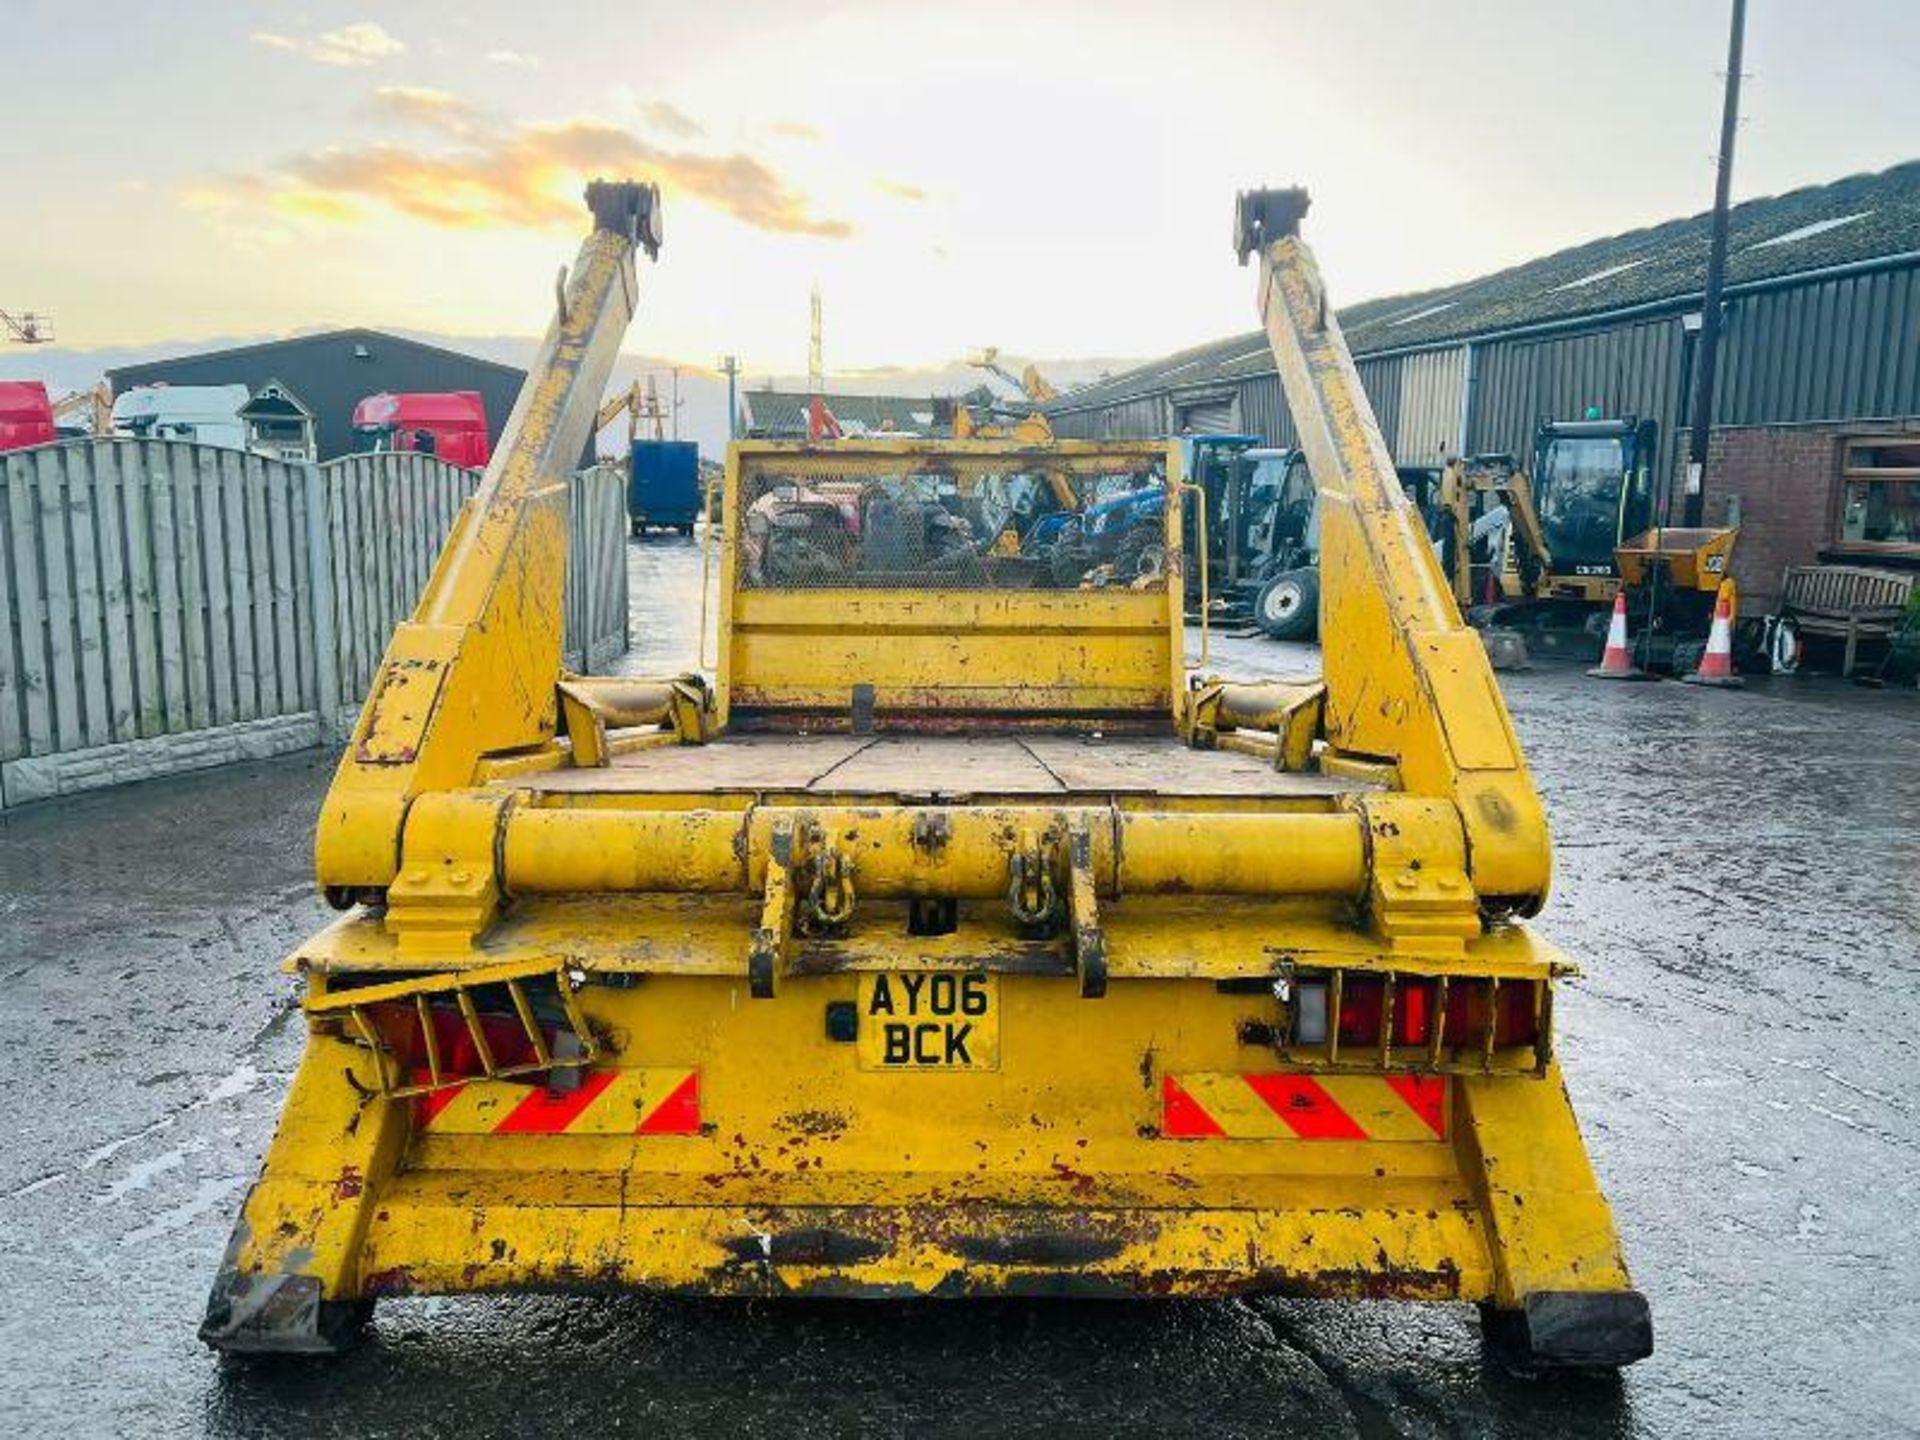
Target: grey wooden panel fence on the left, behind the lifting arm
176 606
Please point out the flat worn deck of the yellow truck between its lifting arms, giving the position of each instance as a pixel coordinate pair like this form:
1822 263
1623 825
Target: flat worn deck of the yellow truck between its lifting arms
946 767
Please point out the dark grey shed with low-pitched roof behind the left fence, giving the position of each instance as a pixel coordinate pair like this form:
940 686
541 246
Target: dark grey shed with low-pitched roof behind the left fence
333 372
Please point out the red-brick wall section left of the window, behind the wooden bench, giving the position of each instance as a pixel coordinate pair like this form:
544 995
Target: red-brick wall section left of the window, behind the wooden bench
1785 479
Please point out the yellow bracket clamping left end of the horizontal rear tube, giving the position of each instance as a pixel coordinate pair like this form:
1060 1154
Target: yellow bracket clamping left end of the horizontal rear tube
448 888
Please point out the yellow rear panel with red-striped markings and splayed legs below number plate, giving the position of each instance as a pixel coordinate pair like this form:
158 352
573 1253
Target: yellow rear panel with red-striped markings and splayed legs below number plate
756 1157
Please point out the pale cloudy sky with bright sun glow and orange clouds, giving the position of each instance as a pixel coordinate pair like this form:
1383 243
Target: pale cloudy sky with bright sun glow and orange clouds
1055 180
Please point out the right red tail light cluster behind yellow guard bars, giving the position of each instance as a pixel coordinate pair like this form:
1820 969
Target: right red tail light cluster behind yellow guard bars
1464 1009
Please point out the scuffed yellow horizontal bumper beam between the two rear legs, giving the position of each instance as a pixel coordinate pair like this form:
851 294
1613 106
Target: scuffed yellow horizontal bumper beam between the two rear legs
429 1243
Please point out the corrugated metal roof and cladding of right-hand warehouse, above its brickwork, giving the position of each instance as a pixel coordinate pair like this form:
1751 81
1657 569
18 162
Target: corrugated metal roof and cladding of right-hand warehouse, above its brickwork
1602 325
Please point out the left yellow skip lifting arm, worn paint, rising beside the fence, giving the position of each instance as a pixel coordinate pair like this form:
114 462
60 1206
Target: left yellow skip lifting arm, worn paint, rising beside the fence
475 669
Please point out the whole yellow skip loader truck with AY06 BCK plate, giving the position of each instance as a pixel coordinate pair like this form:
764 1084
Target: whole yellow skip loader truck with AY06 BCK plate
957 938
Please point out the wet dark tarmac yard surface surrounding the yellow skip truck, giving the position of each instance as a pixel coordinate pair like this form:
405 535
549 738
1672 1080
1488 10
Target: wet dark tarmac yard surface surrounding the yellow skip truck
1737 871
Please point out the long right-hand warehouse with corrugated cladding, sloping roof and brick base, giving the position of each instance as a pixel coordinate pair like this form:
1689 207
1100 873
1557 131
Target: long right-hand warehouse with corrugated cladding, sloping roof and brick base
1817 418
